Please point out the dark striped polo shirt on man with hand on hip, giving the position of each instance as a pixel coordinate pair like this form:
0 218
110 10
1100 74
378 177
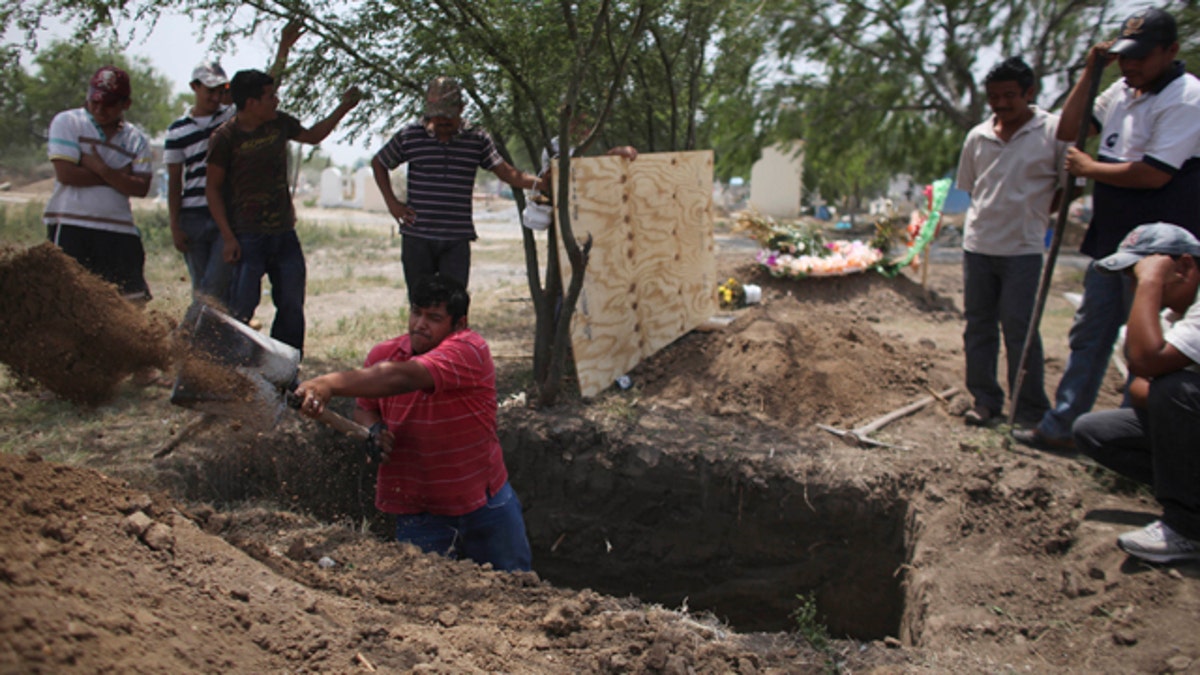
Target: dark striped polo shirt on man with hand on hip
441 178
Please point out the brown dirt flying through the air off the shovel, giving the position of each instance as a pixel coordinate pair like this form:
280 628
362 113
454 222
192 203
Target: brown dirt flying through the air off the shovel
71 331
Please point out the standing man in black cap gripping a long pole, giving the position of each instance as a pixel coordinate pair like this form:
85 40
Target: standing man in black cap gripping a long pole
1148 170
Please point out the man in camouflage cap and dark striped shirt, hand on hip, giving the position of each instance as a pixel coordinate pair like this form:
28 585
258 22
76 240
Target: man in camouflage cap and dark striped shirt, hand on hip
443 154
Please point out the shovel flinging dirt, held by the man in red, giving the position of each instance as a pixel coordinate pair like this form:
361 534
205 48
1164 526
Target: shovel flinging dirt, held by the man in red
231 371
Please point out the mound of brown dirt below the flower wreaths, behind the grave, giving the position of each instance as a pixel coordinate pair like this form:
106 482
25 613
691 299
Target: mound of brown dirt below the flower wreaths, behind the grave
797 361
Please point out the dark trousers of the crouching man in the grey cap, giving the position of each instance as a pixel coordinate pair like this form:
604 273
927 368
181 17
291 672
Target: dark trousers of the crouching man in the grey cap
1155 446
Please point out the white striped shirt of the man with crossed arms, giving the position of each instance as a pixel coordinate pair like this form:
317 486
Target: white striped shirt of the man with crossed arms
97 207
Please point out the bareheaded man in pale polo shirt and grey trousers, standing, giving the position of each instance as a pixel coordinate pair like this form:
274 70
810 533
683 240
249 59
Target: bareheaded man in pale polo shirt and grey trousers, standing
1010 165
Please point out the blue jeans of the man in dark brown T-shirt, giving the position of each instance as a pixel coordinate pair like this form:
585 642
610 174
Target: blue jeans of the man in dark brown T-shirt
278 256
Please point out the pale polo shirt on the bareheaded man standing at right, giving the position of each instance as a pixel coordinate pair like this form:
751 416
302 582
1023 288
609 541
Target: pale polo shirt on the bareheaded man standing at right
1012 186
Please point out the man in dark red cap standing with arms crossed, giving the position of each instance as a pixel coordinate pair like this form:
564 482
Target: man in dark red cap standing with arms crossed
100 162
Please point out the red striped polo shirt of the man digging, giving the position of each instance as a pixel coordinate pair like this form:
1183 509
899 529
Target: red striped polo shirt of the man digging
447 459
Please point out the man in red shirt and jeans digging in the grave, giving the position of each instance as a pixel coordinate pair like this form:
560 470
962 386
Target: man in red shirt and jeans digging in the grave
430 401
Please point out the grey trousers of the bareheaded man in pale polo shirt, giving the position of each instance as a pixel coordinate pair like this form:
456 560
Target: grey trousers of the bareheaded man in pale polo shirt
999 294
